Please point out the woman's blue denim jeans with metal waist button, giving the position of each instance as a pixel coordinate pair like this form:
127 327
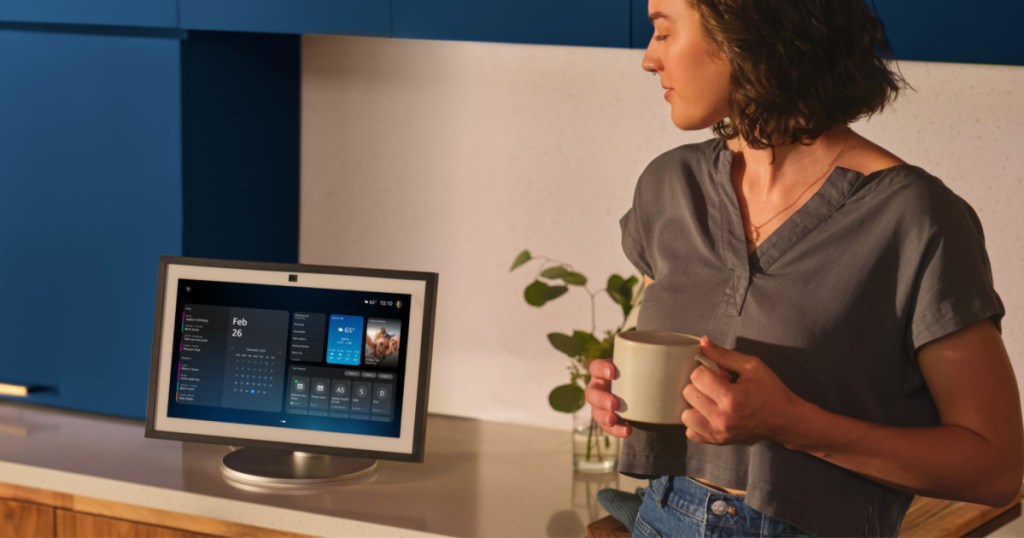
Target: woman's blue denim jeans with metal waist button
682 507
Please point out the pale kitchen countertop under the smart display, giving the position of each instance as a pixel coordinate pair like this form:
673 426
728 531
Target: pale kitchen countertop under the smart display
479 479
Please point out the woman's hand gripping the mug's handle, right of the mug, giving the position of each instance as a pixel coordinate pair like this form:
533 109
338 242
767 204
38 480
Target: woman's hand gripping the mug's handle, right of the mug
752 406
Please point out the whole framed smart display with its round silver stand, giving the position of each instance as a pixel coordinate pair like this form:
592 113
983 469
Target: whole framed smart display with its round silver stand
317 373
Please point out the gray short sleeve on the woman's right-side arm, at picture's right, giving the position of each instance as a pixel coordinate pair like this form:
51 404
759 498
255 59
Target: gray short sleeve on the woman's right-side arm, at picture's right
956 287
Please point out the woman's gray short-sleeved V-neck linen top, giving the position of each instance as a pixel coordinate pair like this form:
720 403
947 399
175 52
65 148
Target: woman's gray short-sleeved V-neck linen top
836 302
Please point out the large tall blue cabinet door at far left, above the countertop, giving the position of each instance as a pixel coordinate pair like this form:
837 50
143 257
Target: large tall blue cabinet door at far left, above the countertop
91 196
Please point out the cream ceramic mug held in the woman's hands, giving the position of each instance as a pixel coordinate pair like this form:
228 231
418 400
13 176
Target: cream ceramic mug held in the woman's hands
654 368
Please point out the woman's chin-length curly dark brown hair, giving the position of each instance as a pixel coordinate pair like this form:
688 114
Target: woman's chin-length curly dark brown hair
799 67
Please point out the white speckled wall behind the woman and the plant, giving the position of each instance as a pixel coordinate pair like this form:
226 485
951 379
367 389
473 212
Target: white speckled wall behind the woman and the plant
453 157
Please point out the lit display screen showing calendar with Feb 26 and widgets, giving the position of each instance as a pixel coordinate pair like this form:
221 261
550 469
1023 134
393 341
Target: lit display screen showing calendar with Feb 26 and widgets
312 359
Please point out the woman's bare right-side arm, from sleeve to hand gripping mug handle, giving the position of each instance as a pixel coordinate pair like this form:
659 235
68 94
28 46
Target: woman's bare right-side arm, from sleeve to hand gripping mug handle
976 454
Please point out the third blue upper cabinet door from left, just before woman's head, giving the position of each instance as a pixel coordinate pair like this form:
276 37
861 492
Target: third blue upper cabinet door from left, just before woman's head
598 23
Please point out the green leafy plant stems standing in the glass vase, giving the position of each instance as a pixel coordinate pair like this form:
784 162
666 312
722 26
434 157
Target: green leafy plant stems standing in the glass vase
553 280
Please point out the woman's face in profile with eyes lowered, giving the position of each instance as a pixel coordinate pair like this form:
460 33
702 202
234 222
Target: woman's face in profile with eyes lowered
692 70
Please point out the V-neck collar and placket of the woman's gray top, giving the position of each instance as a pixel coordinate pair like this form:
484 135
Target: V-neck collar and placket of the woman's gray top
733 239
